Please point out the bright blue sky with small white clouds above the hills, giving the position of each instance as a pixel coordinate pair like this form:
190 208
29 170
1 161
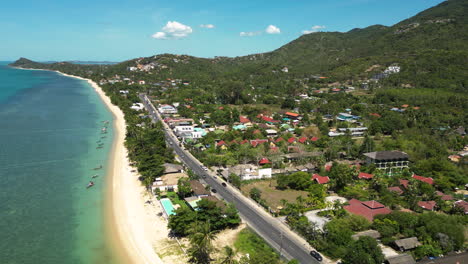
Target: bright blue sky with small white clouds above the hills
117 30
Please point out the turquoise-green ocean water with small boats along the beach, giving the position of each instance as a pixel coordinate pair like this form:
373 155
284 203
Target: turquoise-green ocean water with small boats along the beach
50 128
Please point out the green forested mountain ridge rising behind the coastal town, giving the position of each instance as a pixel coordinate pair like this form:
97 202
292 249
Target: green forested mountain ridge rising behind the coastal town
431 48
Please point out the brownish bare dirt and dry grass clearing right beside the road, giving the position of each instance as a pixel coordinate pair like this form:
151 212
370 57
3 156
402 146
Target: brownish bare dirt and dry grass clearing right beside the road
271 195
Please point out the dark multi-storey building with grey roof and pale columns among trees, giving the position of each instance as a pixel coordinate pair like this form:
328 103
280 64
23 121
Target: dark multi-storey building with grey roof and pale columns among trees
387 159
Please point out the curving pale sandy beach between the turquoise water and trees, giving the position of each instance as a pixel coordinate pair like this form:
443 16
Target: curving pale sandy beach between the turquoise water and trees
133 229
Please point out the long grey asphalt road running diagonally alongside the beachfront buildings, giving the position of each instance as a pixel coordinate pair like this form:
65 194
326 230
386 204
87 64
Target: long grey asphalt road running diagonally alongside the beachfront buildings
267 227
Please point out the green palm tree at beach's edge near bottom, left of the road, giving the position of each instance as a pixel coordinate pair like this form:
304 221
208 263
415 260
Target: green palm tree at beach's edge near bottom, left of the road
201 246
